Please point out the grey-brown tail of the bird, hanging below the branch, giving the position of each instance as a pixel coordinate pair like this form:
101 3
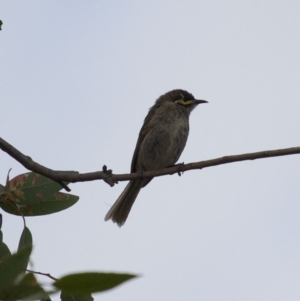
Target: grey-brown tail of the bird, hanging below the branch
119 211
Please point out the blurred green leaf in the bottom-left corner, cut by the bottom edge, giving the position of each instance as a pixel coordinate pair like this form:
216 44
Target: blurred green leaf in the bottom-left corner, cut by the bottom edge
27 289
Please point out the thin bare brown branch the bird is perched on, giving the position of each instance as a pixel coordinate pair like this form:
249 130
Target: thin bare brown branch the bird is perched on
111 179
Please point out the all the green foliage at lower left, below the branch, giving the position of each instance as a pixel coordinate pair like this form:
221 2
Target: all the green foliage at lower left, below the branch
31 194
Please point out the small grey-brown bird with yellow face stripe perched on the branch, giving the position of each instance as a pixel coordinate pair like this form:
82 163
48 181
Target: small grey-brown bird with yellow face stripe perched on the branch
161 141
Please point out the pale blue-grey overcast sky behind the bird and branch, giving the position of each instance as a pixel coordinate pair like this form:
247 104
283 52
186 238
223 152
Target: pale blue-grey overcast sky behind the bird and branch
77 79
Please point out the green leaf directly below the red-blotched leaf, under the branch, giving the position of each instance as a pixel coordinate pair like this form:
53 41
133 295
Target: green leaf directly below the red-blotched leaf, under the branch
55 203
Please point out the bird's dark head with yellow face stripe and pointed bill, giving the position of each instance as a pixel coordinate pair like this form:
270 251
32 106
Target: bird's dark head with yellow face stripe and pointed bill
180 98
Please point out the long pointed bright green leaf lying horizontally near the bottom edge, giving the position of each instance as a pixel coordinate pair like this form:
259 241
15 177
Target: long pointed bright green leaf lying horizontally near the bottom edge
91 282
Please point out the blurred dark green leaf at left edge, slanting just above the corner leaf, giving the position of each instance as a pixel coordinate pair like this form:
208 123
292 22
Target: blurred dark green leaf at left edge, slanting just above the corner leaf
12 267
